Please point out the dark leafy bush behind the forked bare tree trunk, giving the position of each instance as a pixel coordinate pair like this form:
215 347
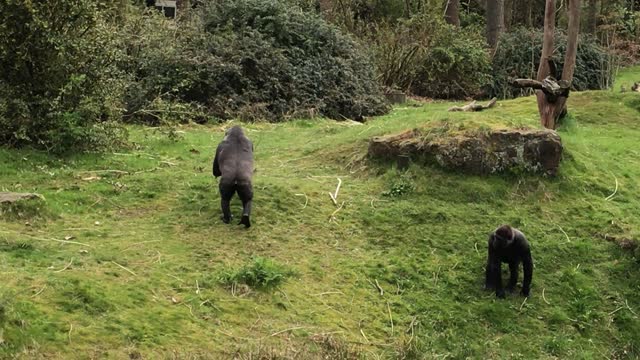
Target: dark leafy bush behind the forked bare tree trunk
518 56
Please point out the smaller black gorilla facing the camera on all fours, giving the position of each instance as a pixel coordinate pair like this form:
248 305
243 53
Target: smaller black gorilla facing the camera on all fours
508 245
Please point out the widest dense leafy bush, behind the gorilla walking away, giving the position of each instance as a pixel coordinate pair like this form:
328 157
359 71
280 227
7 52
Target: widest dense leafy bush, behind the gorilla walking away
255 60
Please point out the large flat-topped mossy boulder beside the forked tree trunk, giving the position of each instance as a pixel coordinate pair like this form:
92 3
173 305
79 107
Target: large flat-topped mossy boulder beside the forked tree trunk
477 151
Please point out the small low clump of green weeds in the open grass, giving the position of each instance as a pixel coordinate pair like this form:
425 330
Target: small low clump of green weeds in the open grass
261 273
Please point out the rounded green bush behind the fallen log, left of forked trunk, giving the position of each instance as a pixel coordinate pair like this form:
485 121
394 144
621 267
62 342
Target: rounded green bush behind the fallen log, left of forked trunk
427 57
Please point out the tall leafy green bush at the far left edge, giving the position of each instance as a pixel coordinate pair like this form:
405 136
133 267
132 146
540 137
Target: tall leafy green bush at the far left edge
57 86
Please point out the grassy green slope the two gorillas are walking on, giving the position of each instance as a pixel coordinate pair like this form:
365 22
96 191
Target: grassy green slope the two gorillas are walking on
162 225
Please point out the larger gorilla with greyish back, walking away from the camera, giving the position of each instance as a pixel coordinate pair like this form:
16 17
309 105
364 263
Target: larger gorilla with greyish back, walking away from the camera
234 162
